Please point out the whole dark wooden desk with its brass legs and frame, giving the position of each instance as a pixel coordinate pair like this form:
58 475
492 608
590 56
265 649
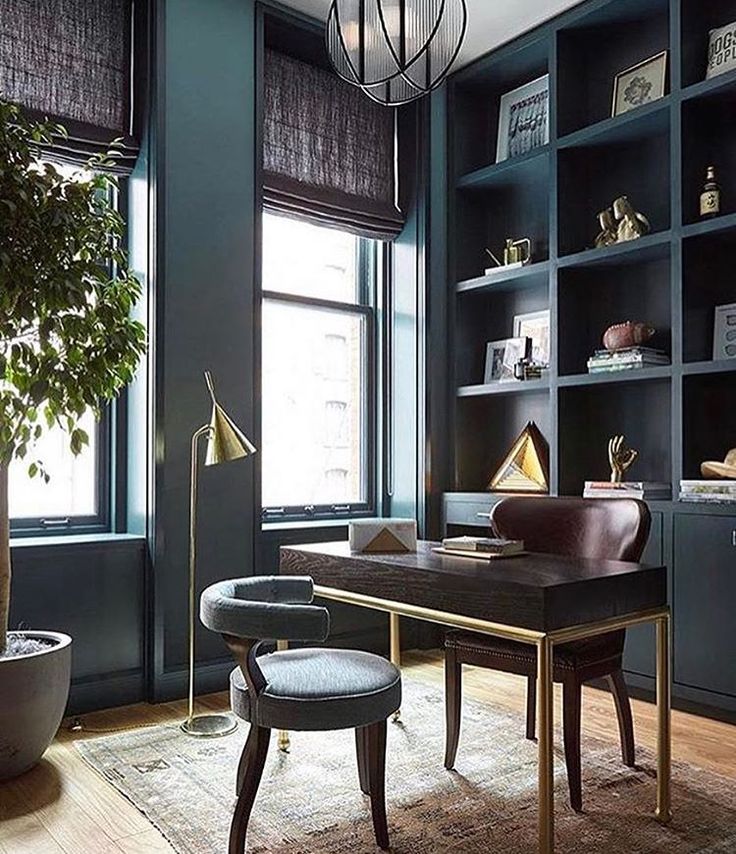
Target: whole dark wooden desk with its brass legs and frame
541 600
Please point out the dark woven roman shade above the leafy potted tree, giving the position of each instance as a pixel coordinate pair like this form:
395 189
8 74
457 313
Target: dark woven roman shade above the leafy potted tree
69 60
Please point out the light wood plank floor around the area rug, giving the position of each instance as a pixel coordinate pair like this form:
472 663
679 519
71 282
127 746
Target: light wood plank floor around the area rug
63 807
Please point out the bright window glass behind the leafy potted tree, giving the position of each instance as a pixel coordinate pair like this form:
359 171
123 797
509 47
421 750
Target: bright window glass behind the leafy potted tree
76 494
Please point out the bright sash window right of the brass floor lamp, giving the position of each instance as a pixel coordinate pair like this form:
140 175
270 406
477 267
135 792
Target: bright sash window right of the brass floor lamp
318 376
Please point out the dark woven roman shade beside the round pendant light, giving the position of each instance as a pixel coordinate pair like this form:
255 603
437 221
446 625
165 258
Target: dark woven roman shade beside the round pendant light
328 151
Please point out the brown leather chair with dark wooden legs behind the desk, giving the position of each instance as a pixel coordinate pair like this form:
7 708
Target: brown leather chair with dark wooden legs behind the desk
607 529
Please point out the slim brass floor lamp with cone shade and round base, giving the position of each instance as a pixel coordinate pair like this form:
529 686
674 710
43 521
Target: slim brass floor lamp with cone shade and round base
225 442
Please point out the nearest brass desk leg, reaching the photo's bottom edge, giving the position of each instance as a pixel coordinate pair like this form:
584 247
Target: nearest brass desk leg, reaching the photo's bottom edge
545 723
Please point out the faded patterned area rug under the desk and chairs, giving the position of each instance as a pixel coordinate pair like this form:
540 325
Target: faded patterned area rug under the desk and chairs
310 802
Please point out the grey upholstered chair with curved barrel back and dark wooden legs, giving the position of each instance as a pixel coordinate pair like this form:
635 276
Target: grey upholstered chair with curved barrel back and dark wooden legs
301 689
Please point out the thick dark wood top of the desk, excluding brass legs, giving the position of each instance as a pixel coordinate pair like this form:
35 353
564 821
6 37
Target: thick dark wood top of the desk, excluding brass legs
536 591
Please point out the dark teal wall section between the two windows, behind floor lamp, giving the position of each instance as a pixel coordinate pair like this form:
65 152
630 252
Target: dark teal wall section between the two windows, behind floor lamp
205 164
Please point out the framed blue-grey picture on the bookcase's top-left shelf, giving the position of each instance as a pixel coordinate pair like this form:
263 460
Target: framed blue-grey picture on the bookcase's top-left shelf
523 119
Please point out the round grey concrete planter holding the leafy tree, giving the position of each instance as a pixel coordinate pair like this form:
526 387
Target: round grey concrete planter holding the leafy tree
34 689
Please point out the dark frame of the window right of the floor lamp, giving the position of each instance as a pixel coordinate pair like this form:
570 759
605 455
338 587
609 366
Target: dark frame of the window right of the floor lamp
366 308
